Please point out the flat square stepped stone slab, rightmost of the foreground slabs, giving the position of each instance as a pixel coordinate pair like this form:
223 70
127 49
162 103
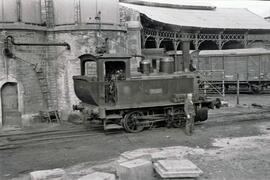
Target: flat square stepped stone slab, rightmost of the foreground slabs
177 169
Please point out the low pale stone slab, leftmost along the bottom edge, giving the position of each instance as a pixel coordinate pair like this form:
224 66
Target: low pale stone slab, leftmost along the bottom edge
52 174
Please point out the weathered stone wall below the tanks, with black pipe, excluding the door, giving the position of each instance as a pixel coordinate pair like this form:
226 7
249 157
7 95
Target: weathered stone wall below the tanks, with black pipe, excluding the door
56 64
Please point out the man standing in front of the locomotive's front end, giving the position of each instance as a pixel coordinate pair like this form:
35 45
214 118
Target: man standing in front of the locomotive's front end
190 113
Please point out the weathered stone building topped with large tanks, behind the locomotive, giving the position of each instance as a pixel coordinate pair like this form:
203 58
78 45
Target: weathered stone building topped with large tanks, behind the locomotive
35 77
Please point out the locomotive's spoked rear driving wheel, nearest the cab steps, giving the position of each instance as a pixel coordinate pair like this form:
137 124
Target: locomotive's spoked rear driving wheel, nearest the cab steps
131 122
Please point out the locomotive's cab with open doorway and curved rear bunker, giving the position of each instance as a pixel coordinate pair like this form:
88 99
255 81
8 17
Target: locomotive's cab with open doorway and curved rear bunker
96 84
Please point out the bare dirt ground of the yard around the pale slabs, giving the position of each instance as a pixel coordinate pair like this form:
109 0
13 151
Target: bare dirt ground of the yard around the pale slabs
235 147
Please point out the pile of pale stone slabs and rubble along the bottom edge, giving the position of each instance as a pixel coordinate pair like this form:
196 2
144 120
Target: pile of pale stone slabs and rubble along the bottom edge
142 164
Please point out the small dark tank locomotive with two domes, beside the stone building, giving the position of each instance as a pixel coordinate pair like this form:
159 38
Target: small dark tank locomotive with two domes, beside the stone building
117 98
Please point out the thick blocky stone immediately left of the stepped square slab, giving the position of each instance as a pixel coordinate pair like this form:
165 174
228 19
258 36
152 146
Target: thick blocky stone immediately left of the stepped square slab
138 169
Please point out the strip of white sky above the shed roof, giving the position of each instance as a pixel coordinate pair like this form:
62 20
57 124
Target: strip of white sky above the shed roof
261 8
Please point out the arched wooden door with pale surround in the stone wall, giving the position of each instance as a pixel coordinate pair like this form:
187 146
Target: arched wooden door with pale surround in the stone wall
11 115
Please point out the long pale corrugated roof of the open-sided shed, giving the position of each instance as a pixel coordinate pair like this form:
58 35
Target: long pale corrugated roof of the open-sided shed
219 18
